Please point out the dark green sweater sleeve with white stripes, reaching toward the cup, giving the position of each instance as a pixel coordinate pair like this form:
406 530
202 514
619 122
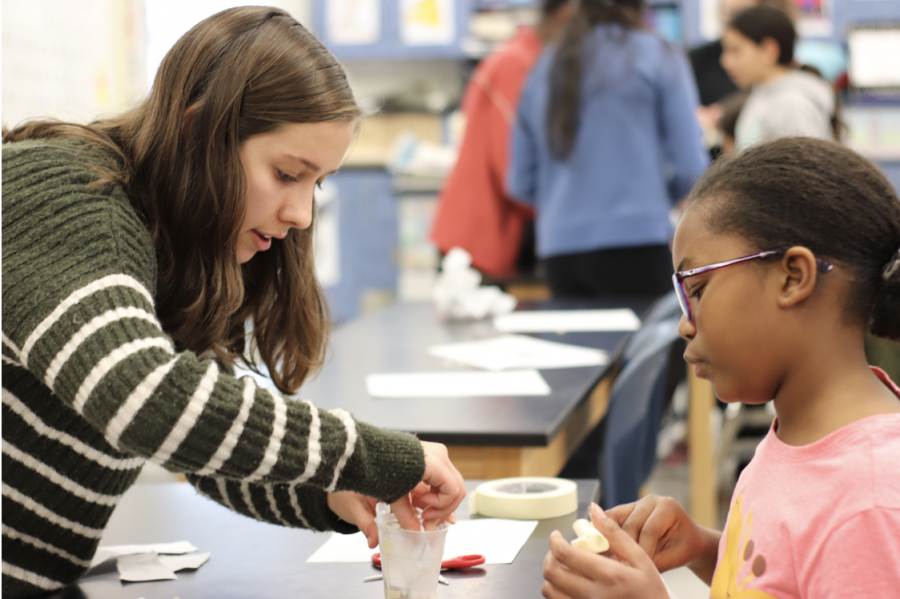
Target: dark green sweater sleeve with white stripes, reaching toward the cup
78 314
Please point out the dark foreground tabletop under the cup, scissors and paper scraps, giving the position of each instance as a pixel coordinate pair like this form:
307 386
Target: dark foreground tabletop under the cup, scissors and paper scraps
253 560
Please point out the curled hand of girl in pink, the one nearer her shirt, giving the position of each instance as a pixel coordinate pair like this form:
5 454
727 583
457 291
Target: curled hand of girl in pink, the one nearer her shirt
667 534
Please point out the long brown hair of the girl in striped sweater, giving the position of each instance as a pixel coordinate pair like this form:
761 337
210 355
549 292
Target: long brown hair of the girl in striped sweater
239 73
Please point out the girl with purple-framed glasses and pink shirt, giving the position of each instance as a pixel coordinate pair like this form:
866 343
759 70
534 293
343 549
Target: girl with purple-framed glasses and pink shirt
787 255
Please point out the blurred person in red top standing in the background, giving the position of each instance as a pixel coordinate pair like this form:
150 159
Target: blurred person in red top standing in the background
475 212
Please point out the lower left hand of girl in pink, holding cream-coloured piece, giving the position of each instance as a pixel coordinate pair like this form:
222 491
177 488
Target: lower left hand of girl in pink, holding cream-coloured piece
572 573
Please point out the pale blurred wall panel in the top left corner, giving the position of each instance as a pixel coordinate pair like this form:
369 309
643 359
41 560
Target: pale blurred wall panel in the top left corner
72 60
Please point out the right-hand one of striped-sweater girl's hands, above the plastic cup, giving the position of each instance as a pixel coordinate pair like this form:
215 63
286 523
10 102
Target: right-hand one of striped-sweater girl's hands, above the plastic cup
439 494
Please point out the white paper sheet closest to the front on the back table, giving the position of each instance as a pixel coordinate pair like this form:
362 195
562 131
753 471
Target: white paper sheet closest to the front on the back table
457 384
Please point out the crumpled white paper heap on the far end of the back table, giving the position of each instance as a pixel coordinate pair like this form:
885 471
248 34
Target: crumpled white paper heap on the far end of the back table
458 296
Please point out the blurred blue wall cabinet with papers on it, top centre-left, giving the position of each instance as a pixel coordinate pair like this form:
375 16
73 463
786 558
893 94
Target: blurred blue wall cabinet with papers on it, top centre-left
390 44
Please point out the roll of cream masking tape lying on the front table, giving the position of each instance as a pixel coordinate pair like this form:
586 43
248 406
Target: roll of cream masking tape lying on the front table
525 498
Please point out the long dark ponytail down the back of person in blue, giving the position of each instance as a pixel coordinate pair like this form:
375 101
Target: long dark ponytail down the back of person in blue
564 106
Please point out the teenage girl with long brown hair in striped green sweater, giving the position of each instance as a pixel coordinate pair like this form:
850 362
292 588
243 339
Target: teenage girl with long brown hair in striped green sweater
134 251
